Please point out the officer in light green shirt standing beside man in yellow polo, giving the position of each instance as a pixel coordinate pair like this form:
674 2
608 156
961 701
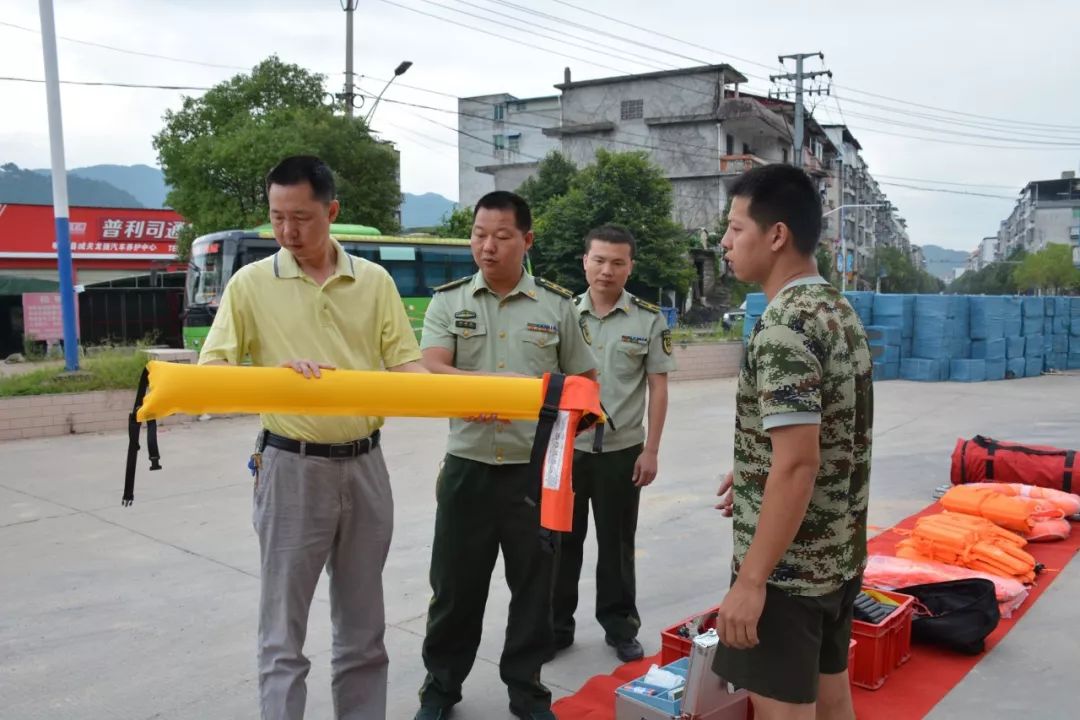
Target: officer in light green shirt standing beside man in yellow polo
501 321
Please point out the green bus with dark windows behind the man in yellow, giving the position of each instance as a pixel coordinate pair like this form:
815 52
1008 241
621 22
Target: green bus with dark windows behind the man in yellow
417 264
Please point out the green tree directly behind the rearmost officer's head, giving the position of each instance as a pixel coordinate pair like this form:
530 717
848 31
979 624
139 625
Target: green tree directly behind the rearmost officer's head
622 188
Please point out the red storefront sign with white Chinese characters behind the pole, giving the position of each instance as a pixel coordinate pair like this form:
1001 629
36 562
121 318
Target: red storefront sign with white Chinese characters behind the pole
28 232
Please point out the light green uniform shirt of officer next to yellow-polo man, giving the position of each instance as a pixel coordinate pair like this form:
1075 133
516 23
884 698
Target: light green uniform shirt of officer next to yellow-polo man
534 330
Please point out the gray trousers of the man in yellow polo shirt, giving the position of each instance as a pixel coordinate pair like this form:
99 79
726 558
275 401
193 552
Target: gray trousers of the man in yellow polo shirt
313 513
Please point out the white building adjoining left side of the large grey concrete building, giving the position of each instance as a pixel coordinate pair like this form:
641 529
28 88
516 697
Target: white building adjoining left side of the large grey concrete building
502 142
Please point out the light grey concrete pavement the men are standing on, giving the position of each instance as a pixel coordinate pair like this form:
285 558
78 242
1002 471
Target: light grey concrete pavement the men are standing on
151 612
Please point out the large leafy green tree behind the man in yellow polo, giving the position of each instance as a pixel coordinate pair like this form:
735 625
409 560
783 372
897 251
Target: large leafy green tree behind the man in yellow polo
217 151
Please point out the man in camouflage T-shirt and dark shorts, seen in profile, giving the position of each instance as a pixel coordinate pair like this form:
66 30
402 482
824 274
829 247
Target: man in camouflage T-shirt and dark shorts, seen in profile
801 484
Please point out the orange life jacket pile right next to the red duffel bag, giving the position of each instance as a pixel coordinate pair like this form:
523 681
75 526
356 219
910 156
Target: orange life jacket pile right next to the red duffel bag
1036 519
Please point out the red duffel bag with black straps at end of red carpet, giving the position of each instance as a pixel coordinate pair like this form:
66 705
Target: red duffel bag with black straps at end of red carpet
987 460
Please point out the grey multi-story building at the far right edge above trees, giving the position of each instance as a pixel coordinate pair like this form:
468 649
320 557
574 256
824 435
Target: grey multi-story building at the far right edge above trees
1046 212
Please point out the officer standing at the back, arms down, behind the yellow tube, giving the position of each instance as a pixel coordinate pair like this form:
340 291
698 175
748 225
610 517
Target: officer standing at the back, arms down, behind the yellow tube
633 345
